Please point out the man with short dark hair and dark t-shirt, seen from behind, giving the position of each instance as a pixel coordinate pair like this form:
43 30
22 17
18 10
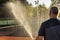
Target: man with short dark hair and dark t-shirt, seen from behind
53 21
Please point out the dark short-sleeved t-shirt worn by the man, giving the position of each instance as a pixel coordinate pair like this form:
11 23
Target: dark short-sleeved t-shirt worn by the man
49 23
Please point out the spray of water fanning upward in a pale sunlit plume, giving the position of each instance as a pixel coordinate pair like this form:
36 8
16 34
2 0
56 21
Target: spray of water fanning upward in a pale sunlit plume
18 11
